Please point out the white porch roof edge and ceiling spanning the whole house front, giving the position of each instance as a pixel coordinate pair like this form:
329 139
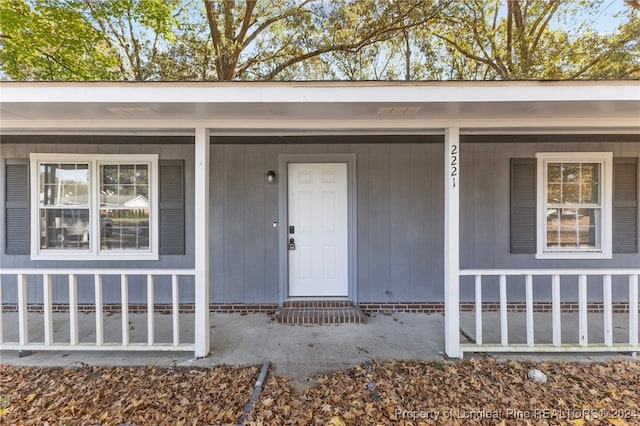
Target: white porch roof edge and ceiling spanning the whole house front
328 107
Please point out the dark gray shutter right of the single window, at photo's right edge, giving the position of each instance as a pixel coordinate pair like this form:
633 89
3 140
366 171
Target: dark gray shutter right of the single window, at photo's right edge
625 205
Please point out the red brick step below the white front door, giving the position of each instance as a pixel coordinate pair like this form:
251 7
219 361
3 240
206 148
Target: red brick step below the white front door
319 312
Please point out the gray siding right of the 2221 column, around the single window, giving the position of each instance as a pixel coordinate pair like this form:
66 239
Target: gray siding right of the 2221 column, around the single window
485 210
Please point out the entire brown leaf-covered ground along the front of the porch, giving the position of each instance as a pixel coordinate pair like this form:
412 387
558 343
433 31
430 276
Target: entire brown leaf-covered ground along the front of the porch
475 391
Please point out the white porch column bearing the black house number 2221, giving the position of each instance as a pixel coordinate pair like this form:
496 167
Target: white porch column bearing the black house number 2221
452 242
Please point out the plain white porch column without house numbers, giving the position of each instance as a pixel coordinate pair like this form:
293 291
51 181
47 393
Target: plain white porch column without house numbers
202 242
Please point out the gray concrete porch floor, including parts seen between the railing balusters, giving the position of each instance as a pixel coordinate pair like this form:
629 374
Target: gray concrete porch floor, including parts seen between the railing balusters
295 351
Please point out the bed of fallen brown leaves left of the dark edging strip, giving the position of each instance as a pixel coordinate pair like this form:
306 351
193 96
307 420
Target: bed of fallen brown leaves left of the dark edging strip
119 395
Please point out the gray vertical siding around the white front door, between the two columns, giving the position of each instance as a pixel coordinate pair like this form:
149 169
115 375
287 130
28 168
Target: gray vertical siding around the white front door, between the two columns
399 220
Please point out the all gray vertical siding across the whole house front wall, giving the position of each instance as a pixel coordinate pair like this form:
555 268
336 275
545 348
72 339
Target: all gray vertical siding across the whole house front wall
399 217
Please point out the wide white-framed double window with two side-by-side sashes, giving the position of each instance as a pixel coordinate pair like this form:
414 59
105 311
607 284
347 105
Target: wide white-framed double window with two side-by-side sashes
99 206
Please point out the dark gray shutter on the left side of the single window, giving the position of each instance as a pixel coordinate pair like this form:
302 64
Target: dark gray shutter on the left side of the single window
523 205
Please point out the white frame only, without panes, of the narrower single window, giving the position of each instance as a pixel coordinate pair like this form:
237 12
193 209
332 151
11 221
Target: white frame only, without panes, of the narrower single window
605 159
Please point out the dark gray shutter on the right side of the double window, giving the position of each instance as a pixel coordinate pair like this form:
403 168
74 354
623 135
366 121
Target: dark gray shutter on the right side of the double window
171 179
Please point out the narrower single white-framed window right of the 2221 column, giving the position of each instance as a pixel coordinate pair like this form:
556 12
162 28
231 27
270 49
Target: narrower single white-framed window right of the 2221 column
574 205
